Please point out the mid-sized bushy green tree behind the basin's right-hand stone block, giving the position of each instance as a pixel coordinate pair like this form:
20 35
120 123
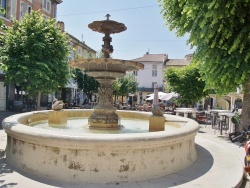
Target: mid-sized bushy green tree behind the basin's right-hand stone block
187 83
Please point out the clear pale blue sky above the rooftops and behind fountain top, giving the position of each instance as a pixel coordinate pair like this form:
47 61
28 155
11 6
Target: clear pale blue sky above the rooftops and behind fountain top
146 30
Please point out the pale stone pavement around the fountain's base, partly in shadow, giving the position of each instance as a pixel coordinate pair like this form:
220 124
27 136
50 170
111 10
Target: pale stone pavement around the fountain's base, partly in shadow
219 164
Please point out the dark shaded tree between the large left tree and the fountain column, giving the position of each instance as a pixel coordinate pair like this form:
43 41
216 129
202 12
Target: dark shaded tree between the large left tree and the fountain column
86 83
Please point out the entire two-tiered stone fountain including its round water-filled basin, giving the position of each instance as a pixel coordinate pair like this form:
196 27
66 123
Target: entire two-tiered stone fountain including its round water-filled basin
90 155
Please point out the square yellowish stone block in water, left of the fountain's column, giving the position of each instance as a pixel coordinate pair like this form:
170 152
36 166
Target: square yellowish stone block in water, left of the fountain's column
57 118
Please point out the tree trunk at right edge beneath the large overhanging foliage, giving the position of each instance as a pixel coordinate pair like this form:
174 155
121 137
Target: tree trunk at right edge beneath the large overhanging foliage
245 114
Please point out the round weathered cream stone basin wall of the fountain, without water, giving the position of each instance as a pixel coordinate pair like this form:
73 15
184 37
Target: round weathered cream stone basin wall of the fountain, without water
99 158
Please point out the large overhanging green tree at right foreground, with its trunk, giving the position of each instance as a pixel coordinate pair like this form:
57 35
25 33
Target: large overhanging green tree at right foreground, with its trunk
220 31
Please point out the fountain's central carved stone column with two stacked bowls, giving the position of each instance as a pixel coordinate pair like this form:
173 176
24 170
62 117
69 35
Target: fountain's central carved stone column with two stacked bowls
105 70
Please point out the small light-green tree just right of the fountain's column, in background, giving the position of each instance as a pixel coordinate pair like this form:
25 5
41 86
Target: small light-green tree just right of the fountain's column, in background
124 85
